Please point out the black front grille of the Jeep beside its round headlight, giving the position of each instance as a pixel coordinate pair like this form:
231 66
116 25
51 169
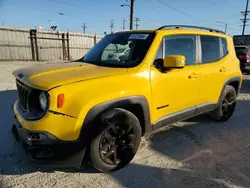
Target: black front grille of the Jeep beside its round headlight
23 95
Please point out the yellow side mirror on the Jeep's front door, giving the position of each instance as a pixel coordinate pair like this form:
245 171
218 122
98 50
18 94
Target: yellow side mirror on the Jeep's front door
174 61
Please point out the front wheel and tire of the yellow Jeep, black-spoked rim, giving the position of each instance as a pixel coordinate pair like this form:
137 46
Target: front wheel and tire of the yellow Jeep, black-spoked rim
117 140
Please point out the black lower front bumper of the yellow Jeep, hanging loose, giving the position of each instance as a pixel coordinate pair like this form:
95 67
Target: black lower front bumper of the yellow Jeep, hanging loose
45 149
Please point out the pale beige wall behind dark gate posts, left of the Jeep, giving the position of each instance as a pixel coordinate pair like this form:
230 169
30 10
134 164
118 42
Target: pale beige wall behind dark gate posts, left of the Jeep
15 44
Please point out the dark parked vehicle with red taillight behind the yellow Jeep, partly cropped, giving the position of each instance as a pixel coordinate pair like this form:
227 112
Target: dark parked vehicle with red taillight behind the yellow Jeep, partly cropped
243 54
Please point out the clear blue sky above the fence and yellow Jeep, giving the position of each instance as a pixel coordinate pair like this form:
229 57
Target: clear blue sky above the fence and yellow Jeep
97 14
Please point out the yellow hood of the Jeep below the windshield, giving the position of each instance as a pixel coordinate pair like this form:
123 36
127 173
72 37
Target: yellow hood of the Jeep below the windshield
48 76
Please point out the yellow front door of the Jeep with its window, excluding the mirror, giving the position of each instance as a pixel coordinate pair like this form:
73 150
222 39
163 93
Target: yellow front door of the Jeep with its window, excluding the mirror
175 92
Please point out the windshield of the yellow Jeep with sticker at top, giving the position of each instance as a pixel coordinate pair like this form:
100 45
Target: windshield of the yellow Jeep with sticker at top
120 50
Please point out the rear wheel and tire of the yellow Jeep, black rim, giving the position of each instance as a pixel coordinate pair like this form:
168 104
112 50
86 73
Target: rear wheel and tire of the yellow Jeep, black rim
226 106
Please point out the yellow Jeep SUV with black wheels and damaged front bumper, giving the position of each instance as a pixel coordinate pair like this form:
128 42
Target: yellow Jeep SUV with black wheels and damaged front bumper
100 106
